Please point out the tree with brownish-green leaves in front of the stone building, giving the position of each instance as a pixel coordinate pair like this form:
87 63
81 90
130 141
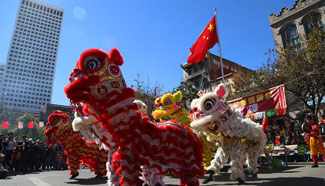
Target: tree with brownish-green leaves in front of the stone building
302 70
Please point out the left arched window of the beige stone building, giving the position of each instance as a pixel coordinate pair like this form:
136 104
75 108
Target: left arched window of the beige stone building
290 36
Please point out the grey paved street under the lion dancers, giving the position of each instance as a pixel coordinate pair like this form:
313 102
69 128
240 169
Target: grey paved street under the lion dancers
295 174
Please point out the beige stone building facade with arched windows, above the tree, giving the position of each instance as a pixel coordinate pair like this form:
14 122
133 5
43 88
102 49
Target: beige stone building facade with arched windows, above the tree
292 25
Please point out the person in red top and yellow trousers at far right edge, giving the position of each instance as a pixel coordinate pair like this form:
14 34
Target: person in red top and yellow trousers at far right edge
315 141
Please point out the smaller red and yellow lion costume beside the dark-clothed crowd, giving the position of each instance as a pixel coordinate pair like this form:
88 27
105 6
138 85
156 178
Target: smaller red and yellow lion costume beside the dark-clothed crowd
75 147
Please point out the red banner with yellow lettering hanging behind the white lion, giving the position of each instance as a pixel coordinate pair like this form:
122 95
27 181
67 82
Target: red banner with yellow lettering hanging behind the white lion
274 98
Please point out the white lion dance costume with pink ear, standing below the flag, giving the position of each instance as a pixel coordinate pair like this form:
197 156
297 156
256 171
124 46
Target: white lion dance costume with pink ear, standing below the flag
242 139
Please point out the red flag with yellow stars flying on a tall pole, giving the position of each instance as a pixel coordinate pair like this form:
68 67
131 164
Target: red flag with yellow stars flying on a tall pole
207 40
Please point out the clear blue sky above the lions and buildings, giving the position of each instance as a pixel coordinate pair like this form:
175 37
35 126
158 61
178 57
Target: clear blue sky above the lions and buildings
154 37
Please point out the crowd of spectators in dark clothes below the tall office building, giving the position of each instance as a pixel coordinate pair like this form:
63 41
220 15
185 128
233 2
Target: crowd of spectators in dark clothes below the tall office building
23 155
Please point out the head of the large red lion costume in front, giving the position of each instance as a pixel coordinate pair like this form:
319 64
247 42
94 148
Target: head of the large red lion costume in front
96 80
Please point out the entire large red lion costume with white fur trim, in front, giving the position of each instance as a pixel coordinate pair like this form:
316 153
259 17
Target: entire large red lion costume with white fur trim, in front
99 93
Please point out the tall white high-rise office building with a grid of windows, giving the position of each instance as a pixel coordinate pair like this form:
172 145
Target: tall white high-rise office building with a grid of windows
29 74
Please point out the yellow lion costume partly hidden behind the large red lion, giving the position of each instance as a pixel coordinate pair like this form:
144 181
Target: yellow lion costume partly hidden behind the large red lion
168 107
